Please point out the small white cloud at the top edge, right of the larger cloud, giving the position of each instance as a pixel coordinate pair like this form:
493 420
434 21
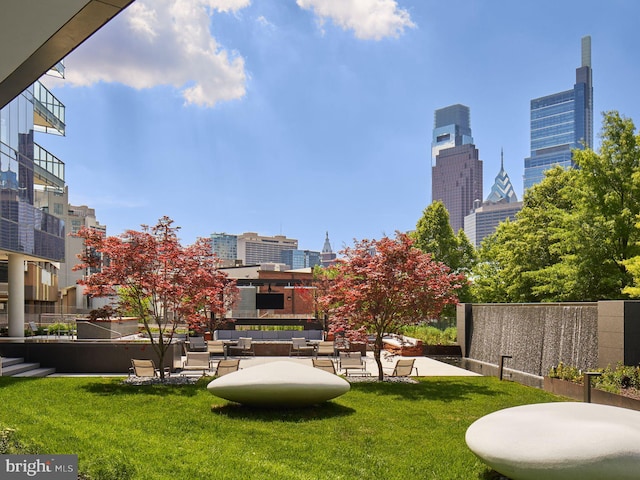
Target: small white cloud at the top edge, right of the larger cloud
369 19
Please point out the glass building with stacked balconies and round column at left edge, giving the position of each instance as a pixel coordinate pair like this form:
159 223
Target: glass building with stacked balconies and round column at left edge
28 234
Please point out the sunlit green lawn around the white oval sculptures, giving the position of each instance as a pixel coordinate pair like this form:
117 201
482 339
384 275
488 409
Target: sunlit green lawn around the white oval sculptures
377 430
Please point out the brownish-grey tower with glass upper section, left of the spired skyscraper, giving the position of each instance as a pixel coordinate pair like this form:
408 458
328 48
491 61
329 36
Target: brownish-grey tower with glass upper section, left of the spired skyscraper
456 172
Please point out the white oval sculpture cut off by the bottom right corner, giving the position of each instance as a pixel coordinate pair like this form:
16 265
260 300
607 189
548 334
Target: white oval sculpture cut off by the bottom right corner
566 440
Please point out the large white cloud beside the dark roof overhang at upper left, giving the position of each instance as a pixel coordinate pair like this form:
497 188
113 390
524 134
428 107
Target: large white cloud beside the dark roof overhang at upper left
164 42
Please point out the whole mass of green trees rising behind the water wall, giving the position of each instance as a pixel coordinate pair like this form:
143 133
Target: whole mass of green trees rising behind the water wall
576 232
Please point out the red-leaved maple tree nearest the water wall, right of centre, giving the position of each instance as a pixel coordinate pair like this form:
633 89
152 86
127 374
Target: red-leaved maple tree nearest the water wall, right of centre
381 285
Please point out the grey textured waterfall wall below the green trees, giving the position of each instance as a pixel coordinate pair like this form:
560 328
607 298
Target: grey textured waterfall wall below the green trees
535 336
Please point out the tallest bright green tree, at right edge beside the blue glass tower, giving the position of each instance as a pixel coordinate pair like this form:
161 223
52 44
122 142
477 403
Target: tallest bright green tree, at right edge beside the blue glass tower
609 200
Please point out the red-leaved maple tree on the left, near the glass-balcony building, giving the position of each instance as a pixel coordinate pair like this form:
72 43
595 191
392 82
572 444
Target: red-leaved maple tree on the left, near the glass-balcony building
154 277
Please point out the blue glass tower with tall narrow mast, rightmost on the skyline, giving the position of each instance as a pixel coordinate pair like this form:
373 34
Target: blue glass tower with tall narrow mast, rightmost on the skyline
560 123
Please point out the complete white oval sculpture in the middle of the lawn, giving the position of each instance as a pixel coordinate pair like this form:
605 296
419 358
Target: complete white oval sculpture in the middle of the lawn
279 383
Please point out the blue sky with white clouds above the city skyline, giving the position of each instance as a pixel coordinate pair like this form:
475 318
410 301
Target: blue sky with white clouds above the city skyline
300 117
